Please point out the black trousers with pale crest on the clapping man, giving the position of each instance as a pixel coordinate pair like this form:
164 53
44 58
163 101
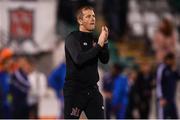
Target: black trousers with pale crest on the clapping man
90 101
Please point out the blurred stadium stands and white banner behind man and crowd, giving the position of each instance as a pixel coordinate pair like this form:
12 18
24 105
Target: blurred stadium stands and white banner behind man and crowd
37 28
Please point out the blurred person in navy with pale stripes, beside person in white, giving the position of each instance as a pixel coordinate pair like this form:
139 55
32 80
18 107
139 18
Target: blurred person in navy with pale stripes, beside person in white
19 88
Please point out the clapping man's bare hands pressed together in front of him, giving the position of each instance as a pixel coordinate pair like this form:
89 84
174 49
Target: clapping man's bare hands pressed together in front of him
103 36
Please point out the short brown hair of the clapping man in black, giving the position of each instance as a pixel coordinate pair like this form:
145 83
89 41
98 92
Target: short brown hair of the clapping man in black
79 13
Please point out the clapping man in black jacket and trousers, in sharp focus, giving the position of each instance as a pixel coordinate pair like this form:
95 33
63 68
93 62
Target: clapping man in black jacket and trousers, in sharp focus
82 53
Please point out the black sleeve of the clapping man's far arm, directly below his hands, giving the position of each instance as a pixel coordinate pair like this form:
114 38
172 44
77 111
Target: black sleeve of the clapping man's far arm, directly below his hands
104 54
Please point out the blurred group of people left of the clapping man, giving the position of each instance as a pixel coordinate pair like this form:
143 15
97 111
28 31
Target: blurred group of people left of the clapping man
22 86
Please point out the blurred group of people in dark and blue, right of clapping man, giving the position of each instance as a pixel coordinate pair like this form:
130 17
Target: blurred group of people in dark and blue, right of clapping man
128 91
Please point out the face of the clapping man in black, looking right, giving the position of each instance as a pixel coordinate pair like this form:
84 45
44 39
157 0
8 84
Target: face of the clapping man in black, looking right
88 20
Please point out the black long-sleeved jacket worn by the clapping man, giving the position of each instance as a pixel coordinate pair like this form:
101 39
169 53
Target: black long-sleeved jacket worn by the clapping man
82 54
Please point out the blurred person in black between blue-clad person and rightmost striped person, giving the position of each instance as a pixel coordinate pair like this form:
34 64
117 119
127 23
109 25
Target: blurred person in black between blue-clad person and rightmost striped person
145 83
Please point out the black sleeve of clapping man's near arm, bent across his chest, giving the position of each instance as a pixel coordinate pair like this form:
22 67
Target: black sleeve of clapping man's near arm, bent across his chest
80 57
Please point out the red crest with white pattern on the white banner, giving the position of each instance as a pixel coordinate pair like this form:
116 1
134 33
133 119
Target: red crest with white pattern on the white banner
21 24
